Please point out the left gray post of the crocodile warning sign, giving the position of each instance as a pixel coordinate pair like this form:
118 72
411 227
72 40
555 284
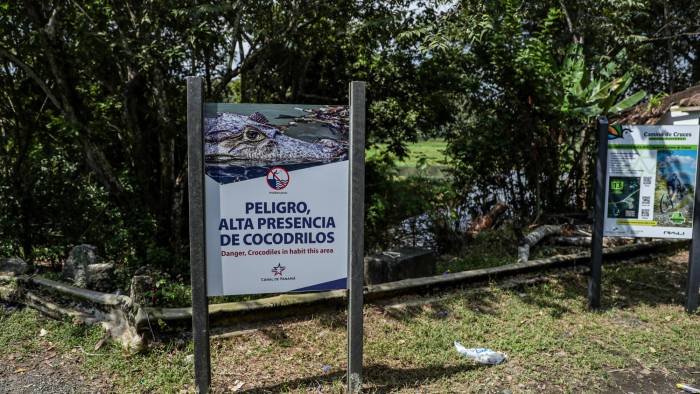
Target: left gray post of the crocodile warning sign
198 269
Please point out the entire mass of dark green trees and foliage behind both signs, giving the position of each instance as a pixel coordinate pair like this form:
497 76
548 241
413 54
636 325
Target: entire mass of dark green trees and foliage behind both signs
92 125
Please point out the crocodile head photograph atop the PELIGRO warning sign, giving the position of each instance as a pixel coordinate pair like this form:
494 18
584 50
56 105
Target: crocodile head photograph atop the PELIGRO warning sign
244 141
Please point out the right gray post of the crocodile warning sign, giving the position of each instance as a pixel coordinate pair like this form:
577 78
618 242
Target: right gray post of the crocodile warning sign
356 236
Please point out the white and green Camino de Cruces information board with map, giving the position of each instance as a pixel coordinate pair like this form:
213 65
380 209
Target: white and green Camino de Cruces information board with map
650 181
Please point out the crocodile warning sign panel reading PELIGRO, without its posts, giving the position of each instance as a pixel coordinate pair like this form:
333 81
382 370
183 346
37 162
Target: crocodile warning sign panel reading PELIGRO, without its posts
276 197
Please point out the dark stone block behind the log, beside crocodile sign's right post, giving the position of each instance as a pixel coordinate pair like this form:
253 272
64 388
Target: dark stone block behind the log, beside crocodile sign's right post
398 264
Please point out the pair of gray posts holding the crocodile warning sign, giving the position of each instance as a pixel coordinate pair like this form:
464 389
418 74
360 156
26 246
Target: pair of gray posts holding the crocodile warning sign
197 228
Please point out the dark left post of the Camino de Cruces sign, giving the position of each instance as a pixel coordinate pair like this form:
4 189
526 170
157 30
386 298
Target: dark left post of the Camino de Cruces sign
601 166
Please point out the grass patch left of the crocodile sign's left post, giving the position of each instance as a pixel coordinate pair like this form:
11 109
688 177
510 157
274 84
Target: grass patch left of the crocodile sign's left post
161 369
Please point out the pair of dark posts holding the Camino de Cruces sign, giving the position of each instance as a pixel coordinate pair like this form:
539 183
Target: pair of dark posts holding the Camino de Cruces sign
599 213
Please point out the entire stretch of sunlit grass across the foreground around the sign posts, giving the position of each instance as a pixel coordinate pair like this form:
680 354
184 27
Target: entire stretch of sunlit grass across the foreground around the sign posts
641 340
